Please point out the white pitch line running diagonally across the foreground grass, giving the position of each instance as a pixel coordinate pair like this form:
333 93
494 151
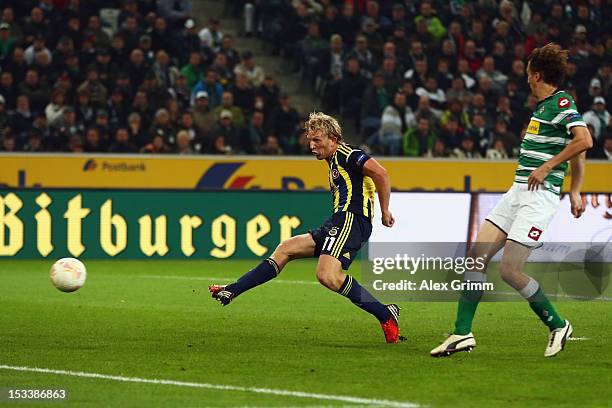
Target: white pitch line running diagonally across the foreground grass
270 391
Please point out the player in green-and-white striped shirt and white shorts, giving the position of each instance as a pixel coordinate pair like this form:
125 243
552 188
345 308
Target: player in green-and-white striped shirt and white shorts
555 135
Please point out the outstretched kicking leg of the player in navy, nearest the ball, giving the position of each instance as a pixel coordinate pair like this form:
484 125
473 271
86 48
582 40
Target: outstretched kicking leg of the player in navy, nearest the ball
300 246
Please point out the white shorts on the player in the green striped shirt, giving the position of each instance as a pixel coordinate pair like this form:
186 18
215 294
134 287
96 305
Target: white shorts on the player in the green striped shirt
524 215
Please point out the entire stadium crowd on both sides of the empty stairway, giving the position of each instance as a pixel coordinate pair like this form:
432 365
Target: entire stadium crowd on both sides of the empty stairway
418 78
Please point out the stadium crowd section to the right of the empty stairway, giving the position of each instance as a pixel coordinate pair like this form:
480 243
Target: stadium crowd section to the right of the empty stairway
441 78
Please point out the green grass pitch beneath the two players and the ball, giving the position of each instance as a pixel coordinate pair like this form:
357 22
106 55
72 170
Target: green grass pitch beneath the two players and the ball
156 320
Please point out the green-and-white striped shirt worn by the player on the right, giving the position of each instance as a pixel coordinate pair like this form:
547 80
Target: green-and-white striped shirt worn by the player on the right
547 134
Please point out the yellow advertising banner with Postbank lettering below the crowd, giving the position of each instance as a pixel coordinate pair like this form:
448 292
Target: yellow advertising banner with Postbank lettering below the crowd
242 172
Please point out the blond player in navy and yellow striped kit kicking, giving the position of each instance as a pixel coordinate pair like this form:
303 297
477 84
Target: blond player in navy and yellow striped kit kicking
353 178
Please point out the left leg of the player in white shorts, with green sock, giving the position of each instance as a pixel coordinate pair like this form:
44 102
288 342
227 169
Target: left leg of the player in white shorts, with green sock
489 241
